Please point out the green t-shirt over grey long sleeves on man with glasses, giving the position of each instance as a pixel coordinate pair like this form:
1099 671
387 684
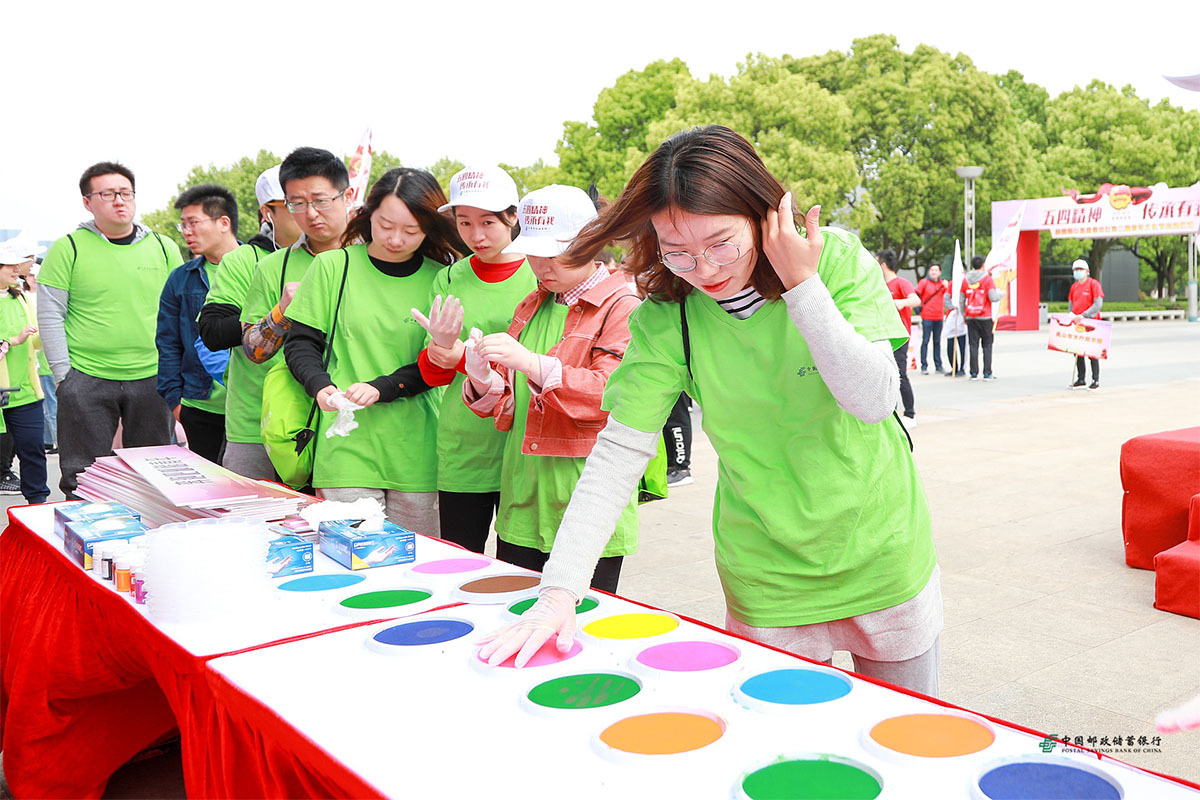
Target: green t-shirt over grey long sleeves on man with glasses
113 305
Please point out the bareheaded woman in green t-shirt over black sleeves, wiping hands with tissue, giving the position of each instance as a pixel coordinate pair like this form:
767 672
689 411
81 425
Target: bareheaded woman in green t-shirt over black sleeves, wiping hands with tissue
392 250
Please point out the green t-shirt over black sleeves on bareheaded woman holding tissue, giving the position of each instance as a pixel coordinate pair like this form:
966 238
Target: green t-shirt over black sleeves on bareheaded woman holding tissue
395 446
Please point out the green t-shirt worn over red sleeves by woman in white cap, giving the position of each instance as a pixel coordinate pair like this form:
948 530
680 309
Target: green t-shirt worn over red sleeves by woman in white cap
470 448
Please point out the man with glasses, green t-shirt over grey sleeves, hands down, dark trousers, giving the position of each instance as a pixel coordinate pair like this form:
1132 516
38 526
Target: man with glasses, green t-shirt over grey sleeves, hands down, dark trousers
97 316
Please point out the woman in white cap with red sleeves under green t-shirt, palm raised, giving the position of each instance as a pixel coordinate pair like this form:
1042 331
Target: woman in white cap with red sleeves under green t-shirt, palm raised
481 292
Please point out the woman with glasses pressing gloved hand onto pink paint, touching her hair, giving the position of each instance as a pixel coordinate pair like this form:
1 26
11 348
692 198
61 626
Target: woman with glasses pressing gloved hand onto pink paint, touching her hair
823 532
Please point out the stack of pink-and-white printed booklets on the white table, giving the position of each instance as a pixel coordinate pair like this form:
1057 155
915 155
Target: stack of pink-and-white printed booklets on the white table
171 484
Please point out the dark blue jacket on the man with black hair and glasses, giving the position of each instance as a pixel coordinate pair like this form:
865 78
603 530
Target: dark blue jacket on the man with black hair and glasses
182 374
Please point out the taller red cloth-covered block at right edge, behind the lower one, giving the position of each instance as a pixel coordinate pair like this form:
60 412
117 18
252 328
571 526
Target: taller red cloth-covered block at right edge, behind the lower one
1160 473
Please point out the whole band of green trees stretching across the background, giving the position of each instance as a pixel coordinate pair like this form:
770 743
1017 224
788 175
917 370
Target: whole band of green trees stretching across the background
873 135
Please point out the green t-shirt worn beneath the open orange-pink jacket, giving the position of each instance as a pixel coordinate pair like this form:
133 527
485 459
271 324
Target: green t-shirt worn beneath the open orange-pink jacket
536 490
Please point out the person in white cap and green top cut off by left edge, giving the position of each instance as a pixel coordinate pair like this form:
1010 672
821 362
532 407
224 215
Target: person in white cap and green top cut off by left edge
19 371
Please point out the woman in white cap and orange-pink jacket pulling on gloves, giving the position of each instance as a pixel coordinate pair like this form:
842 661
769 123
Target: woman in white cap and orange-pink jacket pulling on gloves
551 370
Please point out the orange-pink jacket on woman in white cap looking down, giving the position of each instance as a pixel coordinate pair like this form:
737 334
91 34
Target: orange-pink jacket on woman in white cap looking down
566 420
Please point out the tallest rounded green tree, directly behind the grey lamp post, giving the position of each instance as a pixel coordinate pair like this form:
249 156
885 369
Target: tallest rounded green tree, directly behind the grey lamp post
915 118
